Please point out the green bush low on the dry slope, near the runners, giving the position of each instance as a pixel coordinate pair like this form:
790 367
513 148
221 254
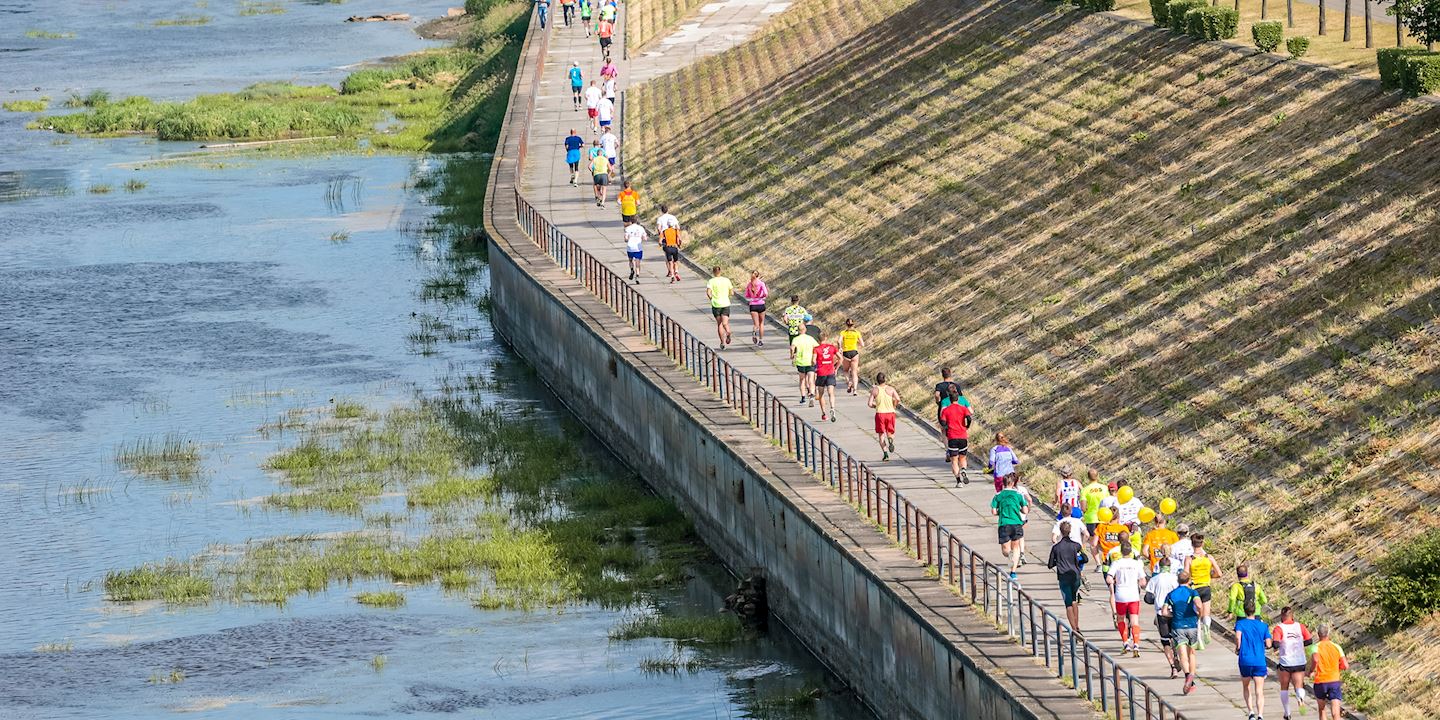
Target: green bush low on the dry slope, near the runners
1406 587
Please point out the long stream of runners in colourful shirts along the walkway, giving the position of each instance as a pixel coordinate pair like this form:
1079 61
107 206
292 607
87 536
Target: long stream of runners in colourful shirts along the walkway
1098 523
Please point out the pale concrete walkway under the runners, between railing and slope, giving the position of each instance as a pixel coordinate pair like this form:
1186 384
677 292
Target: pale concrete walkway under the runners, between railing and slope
918 469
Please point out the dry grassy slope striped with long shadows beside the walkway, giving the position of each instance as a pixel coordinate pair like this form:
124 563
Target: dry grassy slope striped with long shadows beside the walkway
1206 270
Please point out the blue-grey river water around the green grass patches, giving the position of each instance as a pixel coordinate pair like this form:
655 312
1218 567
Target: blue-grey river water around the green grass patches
207 305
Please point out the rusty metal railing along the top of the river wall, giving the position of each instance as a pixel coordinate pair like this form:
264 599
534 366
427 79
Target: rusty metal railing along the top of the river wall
1042 633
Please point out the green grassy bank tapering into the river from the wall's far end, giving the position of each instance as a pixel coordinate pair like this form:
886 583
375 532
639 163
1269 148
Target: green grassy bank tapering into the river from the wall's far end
441 102
